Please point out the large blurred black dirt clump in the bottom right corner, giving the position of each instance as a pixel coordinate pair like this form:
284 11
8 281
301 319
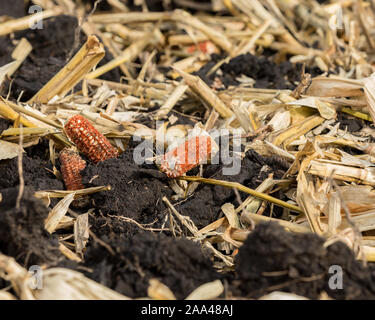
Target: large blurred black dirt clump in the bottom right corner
274 259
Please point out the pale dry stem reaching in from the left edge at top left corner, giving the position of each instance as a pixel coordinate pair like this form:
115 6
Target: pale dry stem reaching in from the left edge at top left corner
26 22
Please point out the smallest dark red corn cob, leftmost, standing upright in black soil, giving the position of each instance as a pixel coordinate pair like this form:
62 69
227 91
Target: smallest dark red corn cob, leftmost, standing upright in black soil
71 166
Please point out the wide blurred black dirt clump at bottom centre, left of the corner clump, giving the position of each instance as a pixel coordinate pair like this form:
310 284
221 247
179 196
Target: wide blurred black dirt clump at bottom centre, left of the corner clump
178 263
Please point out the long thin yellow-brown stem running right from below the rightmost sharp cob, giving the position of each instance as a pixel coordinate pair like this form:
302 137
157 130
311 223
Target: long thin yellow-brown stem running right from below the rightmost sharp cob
242 188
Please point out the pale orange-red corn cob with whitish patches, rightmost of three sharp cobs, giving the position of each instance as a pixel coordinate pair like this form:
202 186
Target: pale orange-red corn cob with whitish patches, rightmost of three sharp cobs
188 155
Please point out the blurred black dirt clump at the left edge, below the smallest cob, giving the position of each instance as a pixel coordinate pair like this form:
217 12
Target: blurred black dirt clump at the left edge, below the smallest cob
23 235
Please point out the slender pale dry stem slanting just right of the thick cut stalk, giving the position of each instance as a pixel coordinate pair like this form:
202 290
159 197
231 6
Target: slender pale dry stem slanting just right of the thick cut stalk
128 55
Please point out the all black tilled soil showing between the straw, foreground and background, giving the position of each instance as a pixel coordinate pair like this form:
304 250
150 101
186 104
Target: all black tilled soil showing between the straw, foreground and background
270 259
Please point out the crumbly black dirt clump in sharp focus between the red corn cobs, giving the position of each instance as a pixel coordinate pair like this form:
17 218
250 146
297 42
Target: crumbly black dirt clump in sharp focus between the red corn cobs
136 190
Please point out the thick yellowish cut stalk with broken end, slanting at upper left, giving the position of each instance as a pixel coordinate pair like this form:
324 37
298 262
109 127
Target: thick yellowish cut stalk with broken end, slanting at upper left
76 69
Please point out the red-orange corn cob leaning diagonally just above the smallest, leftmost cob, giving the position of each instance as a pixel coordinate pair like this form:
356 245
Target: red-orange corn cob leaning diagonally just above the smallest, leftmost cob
89 140
